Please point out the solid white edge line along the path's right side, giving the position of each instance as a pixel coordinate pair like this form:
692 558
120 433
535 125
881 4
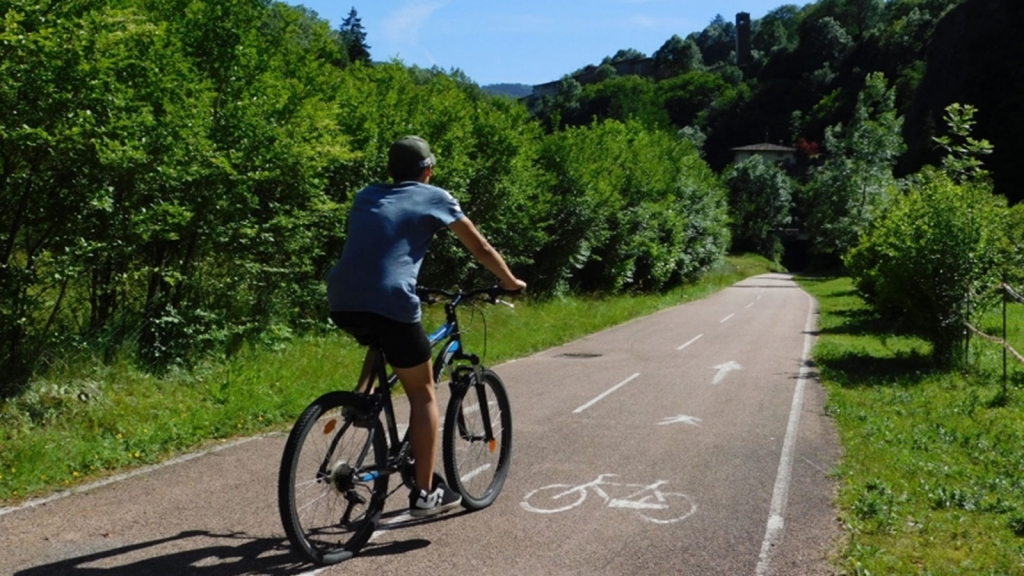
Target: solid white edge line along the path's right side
777 522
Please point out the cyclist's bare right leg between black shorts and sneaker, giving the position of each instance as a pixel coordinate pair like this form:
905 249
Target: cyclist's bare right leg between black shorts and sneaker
423 420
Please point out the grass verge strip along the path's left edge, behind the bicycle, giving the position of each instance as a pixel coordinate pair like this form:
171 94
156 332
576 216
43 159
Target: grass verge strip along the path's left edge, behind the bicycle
82 423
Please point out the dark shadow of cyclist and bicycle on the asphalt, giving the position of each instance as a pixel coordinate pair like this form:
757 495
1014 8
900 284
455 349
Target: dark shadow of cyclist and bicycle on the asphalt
250 556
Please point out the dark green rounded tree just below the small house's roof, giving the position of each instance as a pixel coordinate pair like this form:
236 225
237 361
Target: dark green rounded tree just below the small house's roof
760 202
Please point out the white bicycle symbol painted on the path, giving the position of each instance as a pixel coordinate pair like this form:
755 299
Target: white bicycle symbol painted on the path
647 500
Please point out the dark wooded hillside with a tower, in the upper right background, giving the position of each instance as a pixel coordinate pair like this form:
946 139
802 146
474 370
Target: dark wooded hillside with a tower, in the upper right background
804 72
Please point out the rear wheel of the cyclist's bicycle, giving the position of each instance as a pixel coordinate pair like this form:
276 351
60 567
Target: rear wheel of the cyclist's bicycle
332 487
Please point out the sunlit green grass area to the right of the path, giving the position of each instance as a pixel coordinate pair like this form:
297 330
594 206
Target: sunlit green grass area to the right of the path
931 480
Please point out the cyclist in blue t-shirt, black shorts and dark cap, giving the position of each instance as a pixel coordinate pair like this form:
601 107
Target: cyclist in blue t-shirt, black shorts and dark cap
372 293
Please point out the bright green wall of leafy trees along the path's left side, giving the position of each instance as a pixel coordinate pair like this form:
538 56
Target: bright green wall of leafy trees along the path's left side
176 177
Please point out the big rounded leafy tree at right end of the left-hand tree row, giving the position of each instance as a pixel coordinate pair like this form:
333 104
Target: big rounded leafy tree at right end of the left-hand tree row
629 209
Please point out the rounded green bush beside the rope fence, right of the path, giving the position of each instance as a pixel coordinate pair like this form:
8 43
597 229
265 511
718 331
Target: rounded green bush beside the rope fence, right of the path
934 260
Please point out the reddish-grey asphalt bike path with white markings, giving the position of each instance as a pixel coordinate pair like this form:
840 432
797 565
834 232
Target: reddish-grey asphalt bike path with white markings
693 441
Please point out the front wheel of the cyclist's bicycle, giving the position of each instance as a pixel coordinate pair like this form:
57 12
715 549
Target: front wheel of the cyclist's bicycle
477 467
